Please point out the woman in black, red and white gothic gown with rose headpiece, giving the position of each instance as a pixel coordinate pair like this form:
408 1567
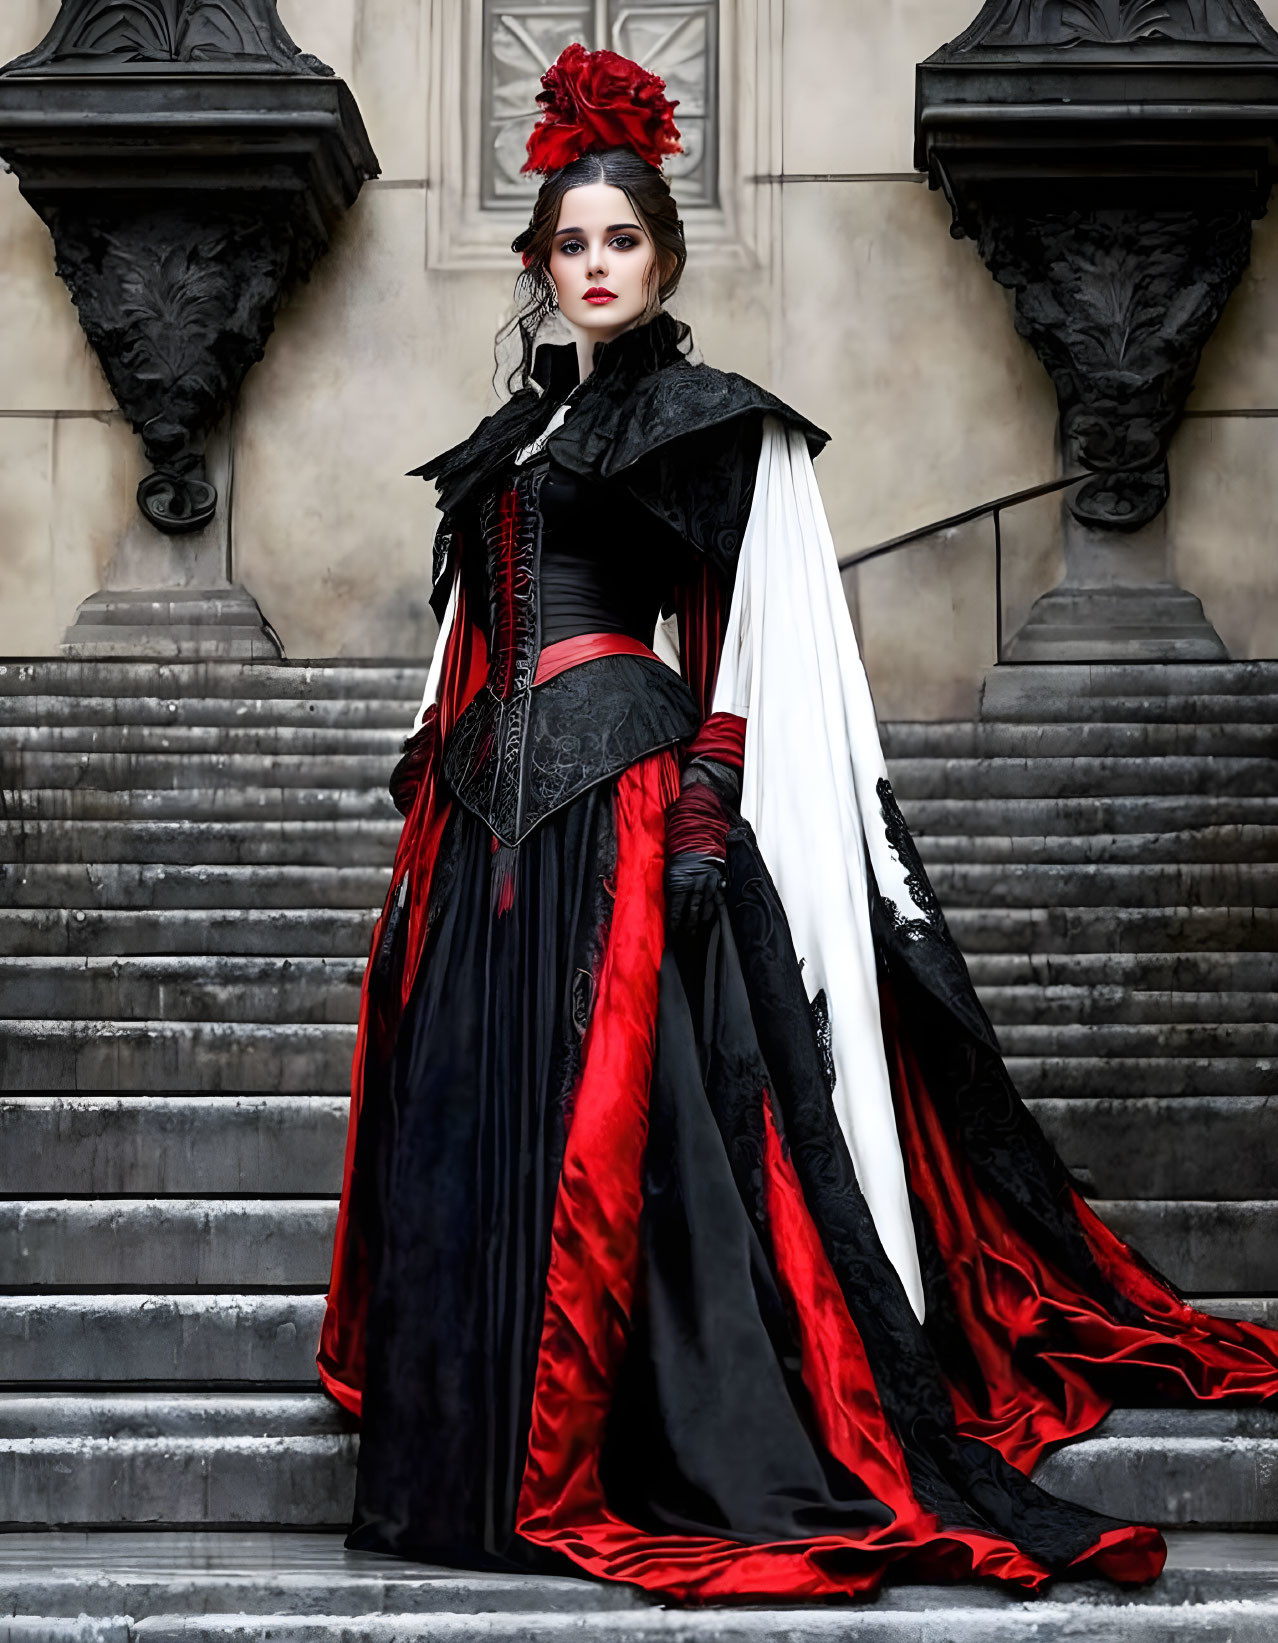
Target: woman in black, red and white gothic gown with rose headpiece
694 1235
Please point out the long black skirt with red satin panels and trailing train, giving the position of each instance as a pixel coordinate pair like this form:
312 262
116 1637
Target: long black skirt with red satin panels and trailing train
714 1388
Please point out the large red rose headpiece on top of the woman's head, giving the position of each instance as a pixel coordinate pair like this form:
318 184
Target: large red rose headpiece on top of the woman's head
599 99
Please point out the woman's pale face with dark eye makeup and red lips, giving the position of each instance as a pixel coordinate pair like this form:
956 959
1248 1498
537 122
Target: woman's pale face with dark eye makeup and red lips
602 260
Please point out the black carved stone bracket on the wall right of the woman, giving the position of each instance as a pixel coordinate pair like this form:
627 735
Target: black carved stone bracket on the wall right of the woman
1110 157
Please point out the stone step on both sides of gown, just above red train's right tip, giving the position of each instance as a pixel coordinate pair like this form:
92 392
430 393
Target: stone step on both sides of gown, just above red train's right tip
287 1243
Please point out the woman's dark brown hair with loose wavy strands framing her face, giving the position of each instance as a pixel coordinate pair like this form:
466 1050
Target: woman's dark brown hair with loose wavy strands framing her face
655 206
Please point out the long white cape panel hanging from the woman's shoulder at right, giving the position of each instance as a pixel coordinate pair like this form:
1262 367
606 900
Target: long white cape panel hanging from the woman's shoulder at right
793 670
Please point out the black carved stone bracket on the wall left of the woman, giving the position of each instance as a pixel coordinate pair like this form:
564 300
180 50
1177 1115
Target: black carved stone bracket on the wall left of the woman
191 165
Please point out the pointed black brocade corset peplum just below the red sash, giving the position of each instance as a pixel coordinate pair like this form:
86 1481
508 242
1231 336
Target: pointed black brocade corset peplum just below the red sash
515 763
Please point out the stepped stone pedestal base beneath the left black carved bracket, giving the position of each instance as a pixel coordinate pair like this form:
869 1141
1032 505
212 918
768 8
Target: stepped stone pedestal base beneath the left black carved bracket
175 625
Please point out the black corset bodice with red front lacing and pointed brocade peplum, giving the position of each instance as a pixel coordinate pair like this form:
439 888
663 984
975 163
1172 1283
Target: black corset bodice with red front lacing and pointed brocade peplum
553 558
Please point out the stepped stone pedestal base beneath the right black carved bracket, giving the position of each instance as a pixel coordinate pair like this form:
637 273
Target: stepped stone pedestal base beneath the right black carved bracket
1146 624
